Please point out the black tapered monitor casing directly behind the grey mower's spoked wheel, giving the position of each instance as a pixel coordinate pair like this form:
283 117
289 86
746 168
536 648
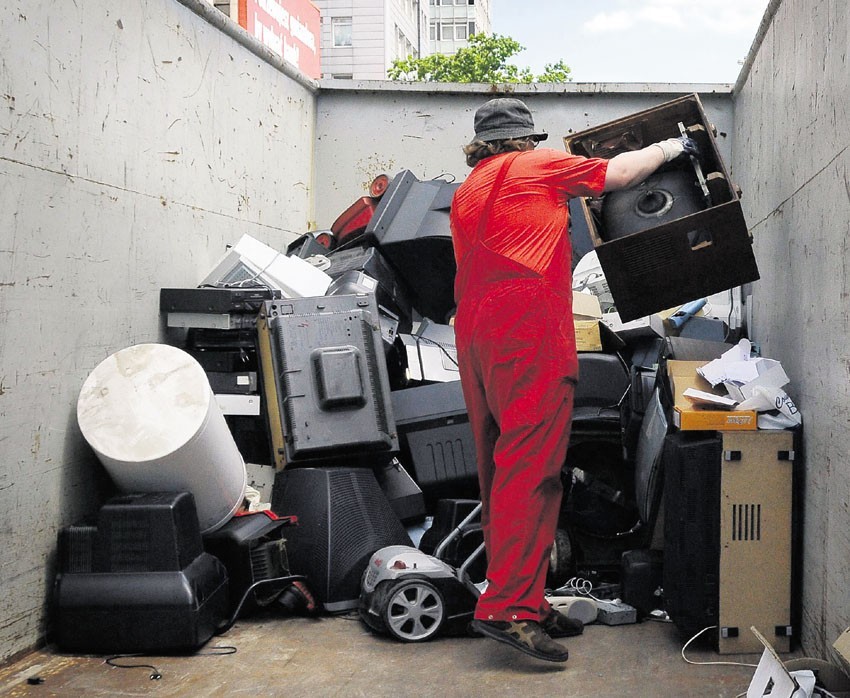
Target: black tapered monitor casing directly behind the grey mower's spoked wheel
343 518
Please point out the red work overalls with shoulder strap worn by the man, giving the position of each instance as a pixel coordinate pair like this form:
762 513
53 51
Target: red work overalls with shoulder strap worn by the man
518 366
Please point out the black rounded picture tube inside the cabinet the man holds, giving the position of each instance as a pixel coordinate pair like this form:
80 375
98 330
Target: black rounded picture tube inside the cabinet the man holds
662 197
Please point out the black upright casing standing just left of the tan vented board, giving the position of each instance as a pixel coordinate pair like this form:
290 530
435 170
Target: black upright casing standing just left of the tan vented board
692 529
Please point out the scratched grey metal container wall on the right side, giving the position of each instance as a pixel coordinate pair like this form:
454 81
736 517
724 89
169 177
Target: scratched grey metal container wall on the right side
793 161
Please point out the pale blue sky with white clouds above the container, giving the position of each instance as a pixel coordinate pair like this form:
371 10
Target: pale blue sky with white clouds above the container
632 40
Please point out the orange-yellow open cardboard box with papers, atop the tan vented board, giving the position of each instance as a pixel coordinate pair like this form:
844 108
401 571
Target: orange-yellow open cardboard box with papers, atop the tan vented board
689 417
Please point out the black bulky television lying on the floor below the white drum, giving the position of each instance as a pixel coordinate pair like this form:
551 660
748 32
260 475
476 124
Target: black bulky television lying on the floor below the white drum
138 581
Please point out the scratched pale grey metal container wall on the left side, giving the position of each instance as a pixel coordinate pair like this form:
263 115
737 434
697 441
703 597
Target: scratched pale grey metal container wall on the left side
136 142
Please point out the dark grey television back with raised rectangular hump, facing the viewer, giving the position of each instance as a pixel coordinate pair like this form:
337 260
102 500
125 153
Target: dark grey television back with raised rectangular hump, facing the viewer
325 379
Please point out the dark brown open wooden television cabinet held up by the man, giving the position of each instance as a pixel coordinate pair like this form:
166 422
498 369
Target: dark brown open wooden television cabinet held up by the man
668 264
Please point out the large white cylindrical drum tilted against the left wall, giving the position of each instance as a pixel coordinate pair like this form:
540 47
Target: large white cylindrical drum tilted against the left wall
151 417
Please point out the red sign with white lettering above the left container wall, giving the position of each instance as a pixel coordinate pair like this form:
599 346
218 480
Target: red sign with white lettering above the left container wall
290 28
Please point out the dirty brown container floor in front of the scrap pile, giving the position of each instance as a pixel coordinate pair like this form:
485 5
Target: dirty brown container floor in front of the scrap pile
338 656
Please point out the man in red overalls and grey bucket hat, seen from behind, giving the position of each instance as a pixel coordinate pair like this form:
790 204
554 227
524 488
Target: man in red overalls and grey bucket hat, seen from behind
516 349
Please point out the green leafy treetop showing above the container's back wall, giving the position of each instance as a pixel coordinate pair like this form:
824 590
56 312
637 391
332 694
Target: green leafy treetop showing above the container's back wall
485 59
